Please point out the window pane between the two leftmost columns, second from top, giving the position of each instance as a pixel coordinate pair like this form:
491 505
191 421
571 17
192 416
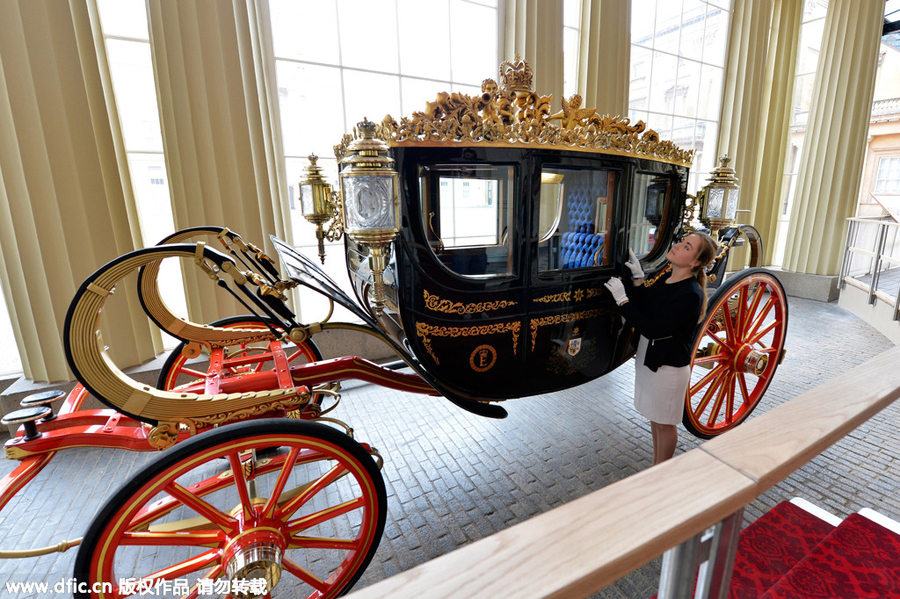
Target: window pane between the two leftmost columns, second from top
133 85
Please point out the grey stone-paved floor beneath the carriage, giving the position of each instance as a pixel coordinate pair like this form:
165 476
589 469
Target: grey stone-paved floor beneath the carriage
453 477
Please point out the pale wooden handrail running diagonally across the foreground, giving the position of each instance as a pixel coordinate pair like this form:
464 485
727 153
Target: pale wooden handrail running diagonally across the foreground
579 548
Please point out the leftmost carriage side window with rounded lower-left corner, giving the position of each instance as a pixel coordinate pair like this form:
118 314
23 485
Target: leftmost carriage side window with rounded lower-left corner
467 212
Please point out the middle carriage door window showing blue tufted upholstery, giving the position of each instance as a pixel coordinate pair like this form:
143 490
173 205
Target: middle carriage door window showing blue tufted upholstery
574 217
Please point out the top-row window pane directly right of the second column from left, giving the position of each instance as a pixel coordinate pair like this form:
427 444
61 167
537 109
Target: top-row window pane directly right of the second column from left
305 30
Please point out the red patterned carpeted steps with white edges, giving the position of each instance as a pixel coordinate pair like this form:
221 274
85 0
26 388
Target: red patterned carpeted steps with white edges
799 551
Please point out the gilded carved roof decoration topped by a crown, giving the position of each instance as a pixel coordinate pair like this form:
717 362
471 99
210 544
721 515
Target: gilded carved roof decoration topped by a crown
511 113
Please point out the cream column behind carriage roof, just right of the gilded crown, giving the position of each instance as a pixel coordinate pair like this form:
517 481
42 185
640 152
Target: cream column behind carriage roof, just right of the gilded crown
604 59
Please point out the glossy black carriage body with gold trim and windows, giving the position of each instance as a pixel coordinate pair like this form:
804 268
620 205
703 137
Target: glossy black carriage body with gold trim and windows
508 301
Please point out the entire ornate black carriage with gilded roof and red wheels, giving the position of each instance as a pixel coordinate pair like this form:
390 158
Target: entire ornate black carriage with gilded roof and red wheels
478 236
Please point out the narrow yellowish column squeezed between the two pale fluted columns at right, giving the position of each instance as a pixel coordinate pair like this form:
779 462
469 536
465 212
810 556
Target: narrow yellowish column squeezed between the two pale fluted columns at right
776 111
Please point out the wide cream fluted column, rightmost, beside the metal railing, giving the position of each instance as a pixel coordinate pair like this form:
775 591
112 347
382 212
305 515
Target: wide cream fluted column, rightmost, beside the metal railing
834 147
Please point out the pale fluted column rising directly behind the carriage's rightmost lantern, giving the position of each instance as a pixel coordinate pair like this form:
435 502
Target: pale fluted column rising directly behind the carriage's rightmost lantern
743 95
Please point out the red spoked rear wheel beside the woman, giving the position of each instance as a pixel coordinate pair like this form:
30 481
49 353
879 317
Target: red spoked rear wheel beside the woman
736 350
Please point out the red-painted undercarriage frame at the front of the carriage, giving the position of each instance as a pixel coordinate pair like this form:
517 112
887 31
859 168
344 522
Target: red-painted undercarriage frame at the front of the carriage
74 427
